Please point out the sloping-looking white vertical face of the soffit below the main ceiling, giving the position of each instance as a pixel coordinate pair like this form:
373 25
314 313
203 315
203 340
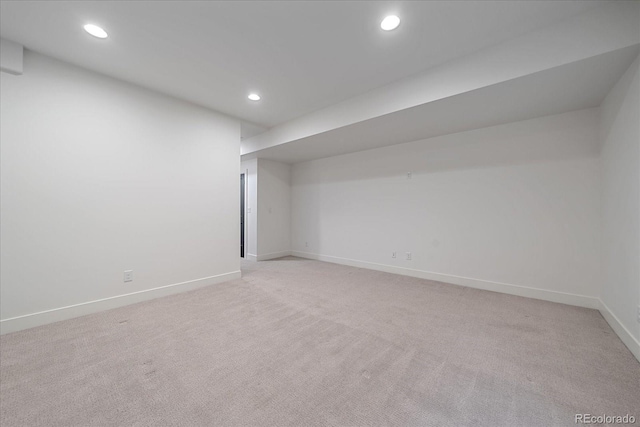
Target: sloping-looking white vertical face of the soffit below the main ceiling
594 32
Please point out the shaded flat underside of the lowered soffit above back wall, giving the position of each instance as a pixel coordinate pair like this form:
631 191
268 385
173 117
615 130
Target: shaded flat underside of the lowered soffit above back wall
578 85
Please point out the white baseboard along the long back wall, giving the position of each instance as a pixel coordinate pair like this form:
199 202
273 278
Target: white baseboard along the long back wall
506 288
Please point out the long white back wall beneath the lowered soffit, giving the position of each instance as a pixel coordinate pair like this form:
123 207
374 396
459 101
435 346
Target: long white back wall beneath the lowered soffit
513 208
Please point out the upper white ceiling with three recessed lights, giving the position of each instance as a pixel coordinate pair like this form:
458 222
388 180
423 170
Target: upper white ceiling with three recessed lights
300 56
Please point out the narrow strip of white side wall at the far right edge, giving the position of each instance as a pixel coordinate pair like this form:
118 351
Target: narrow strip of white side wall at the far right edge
620 136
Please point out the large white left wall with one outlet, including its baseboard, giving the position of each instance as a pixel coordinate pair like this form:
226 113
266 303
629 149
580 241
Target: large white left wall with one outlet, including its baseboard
99 176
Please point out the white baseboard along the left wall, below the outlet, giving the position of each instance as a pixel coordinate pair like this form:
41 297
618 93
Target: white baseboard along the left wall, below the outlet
27 321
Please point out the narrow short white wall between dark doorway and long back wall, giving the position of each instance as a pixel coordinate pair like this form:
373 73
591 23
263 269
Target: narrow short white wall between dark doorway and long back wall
274 209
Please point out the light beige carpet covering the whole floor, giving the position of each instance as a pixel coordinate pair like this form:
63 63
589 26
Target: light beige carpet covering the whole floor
305 343
